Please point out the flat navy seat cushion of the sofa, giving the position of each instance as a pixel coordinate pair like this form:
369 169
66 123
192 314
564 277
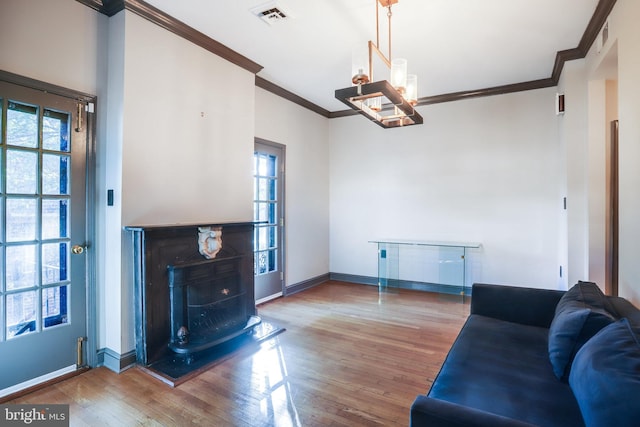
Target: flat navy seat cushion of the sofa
503 368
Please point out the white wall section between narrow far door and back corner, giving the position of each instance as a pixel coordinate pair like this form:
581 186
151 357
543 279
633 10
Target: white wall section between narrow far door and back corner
304 135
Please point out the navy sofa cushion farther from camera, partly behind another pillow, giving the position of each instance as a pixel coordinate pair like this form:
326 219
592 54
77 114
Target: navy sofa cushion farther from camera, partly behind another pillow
581 313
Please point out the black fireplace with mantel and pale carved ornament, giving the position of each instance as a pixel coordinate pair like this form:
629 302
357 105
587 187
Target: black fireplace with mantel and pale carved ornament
193 287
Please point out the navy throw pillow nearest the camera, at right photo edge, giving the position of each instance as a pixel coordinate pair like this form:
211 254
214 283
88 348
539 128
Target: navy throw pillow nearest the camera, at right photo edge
605 377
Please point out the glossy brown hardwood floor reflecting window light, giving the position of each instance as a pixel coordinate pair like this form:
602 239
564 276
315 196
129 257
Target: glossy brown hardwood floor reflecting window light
349 357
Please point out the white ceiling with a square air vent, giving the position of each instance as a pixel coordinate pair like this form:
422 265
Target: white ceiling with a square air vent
452 45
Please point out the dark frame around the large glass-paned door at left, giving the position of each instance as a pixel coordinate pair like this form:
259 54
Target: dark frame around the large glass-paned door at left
91 349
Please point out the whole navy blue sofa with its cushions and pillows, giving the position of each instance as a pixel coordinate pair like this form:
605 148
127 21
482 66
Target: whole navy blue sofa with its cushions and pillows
535 357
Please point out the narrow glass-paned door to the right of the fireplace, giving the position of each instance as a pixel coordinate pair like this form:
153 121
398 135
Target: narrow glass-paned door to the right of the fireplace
268 212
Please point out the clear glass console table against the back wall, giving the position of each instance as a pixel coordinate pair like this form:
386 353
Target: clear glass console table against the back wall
423 265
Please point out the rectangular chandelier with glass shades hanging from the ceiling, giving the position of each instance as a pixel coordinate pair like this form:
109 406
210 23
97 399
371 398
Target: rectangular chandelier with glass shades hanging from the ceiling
400 93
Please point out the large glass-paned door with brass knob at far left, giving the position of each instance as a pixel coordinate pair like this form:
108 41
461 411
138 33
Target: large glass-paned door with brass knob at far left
42 235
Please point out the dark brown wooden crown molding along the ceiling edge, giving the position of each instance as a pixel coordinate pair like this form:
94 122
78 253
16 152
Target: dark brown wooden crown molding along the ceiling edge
145 10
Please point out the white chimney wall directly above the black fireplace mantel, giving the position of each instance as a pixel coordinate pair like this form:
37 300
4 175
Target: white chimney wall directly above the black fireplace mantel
188 131
